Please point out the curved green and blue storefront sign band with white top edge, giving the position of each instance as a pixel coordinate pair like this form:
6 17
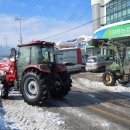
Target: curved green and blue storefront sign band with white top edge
118 32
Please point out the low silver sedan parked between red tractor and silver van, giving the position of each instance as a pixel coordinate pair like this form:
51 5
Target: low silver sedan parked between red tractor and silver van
72 67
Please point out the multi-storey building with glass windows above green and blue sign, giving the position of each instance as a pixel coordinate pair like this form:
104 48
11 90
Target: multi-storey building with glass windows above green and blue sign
111 20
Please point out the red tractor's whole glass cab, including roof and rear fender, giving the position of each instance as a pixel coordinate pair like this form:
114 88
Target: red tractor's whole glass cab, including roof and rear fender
36 55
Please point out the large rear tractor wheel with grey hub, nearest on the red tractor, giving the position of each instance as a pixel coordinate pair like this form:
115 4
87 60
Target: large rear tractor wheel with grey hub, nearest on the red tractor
33 88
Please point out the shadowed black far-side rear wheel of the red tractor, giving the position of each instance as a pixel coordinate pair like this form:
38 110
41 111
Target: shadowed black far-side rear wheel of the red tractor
62 86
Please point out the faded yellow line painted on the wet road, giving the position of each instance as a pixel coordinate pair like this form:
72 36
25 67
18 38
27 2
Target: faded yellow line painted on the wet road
109 114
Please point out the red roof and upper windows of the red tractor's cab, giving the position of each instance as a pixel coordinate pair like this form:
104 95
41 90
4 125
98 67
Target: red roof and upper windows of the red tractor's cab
36 52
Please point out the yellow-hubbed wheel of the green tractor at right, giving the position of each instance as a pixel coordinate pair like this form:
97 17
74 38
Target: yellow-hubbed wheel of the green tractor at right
109 79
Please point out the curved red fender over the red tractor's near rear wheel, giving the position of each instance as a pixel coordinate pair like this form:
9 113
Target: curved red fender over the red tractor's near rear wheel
34 67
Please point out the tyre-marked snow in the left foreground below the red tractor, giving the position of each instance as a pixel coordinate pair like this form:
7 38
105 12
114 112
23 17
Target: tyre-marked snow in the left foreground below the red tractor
21 116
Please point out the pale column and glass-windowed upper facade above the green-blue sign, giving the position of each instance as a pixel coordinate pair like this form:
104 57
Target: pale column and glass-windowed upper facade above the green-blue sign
106 12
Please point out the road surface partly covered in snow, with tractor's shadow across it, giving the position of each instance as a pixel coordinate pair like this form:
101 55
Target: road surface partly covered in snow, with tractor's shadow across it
89 106
